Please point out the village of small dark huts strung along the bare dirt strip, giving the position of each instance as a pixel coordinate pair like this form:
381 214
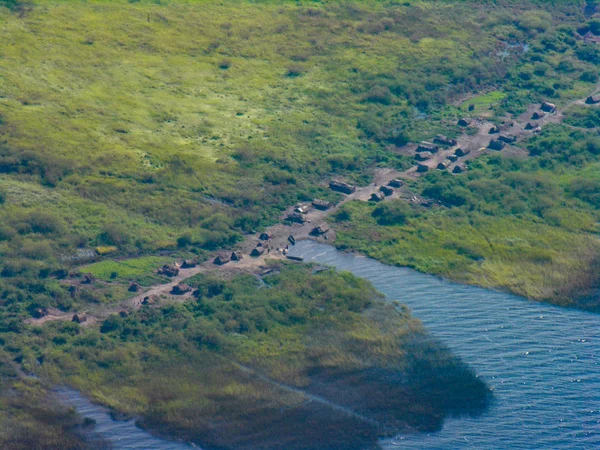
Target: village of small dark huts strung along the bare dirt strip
309 220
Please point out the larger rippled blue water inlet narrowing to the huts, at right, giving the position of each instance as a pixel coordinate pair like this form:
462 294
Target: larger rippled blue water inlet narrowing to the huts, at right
541 361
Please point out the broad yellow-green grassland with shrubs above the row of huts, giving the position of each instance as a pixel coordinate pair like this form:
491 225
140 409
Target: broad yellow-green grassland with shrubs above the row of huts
138 127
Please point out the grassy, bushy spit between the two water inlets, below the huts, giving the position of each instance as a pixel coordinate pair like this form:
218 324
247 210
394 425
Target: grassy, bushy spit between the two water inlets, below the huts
294 360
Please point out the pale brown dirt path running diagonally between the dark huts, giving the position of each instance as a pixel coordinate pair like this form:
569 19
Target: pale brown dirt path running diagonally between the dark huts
476 145
